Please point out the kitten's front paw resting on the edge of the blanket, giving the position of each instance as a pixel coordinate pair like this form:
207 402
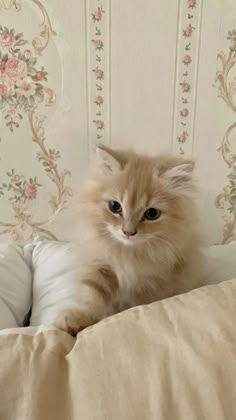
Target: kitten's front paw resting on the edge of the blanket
74 320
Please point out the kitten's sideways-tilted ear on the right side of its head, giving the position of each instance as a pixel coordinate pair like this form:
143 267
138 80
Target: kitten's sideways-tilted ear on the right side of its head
179 174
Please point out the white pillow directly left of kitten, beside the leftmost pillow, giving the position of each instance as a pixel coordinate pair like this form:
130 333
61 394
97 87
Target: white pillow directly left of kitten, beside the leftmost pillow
54 284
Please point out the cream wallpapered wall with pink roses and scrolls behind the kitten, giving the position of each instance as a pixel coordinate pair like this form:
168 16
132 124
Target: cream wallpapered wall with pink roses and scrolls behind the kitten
154 74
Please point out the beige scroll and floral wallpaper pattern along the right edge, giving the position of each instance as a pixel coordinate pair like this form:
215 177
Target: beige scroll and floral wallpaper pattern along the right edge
226 85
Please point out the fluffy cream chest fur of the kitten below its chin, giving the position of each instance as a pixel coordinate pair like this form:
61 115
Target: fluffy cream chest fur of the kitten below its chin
142 279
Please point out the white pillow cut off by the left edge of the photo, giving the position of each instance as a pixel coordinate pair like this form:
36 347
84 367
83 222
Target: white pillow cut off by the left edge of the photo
15 286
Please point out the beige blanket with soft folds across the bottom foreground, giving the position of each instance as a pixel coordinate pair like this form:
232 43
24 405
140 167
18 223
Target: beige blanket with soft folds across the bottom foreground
172 360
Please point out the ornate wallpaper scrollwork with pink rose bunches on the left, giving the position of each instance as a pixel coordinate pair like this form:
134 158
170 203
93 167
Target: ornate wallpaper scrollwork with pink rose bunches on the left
23 87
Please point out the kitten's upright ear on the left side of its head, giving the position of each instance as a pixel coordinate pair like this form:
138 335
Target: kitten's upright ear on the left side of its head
107 161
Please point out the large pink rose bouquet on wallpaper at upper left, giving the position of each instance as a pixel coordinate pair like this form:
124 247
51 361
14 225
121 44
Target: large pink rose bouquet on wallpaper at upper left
20 80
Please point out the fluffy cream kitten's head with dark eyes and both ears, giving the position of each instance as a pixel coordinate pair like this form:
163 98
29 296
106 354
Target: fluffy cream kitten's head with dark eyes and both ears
135 199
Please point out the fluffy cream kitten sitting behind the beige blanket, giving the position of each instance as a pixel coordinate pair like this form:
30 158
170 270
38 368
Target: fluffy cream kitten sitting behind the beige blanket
139 235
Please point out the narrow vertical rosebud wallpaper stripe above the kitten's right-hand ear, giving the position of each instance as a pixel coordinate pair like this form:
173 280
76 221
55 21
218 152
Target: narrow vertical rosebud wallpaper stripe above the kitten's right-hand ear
187 60
